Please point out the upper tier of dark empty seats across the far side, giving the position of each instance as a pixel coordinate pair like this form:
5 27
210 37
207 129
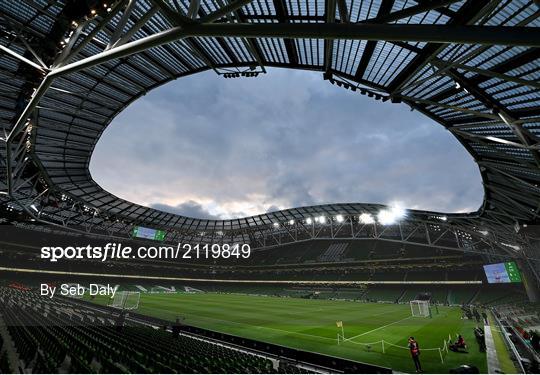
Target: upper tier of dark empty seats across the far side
289 262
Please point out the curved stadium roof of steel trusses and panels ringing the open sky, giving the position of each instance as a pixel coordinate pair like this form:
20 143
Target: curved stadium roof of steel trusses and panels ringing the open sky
67 68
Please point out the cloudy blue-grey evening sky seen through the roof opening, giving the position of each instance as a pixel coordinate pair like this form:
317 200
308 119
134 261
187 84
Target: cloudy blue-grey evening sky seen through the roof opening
210 147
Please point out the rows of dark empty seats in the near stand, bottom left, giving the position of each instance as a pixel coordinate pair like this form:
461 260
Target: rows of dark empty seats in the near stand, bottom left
52 335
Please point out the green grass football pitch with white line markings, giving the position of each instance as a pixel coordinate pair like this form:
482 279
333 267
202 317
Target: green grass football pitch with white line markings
311 325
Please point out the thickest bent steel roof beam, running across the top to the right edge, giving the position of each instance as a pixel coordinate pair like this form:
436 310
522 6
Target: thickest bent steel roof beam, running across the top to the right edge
438 33
